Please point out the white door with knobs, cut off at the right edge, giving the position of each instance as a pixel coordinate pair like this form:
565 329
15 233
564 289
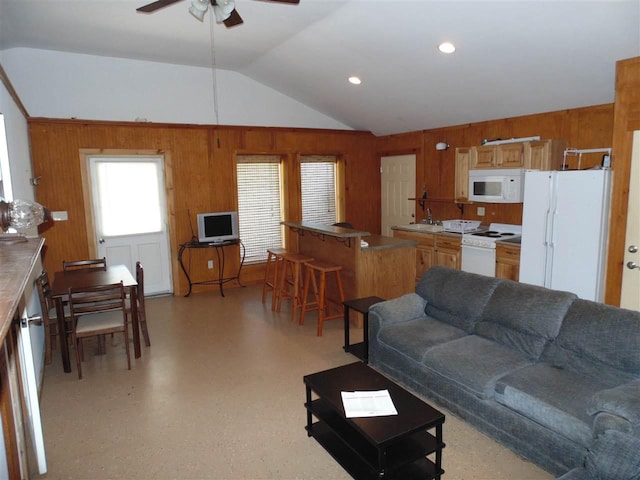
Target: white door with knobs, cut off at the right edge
630 293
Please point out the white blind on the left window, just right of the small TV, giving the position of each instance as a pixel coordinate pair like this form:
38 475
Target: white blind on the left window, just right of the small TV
259 204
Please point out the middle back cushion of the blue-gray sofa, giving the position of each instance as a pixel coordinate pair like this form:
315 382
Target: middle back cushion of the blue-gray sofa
524 317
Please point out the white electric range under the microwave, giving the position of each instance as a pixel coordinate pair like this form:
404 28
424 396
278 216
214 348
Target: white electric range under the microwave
479 247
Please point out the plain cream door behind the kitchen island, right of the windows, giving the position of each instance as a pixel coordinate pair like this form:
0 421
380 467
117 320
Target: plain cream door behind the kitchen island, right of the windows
398 184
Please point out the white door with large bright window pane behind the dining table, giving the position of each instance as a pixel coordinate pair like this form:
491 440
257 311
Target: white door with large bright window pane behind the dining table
129 209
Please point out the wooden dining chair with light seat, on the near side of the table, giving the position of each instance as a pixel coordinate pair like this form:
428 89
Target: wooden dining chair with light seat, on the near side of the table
98 311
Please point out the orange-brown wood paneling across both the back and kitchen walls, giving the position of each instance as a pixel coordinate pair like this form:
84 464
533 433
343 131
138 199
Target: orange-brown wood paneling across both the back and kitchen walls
203 173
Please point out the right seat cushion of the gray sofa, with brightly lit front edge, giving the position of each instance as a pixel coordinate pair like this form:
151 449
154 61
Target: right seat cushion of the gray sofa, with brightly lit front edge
550 396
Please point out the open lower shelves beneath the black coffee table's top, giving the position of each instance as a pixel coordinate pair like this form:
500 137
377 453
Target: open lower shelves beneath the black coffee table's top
406 459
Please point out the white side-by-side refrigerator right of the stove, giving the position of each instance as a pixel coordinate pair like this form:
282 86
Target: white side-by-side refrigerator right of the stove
565 222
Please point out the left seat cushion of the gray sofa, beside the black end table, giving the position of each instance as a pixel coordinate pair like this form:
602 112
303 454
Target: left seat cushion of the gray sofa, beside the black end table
415 337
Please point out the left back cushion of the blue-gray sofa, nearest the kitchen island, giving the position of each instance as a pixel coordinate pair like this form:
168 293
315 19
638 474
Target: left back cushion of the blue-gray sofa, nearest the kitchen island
454 296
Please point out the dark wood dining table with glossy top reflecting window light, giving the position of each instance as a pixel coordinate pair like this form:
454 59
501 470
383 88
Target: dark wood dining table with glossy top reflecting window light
92 277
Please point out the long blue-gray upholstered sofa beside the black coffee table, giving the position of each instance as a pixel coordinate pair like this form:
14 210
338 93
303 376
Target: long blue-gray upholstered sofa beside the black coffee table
541 371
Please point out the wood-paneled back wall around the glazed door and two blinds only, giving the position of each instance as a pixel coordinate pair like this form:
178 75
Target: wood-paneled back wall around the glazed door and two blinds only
202 176
